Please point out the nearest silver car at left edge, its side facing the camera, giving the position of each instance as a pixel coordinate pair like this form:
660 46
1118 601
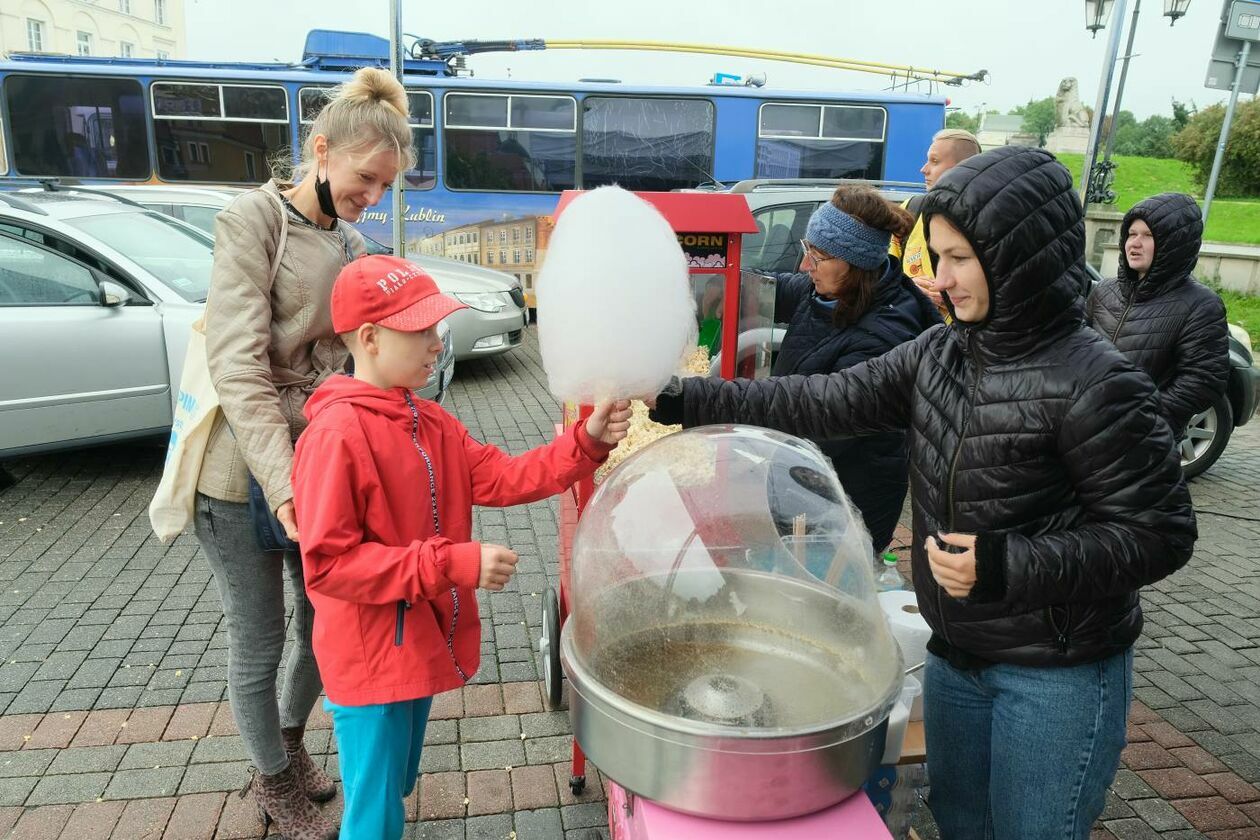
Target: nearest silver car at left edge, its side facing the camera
98 298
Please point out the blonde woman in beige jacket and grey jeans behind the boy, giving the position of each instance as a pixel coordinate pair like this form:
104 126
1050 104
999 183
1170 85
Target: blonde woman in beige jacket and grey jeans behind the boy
270 343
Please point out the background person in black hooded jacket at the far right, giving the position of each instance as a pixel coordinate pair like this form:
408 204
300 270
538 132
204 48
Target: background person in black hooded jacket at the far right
1159 315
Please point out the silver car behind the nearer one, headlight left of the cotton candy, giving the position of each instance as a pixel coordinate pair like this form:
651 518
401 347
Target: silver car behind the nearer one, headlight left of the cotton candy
497 315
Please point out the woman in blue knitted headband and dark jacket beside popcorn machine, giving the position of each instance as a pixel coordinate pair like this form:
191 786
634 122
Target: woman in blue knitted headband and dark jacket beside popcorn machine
850 304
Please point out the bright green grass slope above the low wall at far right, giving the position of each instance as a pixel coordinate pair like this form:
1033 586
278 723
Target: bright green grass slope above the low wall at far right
1137 178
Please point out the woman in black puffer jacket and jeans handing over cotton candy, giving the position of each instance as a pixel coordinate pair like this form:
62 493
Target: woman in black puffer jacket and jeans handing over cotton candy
1045 492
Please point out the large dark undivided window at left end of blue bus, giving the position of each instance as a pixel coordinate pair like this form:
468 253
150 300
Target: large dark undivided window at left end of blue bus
79 128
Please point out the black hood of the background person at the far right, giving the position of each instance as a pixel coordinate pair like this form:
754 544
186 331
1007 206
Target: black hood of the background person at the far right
1177 226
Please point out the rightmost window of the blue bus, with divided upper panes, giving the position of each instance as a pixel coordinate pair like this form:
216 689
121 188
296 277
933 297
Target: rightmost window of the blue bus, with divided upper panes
797 140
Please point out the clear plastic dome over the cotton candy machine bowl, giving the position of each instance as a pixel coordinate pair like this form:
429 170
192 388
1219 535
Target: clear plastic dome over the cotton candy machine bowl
721 579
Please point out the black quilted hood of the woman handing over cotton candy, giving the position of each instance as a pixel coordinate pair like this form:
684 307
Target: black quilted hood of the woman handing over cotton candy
1020 211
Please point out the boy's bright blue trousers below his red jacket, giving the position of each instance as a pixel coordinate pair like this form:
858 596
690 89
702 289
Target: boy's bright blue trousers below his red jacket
379 751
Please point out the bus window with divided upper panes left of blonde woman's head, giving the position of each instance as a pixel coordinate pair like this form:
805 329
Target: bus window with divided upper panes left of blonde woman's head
224 134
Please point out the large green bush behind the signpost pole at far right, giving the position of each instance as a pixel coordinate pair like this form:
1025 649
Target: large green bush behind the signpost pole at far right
1240 171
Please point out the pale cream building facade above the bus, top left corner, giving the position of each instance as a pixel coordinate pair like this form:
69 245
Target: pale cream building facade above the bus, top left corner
108 28
